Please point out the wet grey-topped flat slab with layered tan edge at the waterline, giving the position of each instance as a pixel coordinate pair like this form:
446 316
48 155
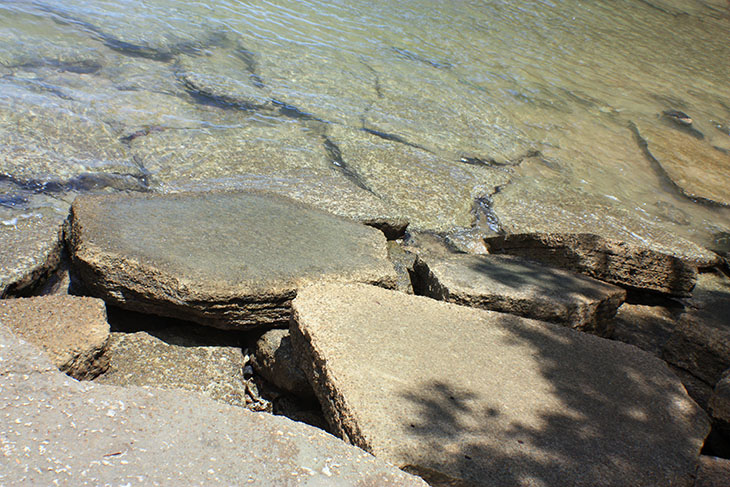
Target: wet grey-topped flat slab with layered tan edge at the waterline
228 260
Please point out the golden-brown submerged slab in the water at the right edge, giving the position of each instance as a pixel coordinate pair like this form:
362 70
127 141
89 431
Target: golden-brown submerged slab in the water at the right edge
693 165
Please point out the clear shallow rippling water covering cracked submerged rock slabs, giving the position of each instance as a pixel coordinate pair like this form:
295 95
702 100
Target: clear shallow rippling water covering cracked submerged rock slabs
529 115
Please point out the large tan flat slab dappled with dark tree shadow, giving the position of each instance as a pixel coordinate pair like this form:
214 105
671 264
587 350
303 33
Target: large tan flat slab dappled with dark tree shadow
491 398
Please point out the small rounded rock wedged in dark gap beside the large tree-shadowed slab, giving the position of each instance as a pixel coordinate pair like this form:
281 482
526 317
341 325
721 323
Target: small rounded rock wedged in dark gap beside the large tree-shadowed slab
276 362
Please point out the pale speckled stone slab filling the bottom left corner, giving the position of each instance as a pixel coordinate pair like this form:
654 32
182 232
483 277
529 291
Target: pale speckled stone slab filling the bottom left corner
58 430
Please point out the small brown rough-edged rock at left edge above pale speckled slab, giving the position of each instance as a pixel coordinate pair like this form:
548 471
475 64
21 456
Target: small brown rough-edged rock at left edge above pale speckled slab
72 330
